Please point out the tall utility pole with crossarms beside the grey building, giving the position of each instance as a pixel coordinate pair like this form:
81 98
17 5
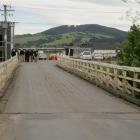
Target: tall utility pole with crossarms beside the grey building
6 10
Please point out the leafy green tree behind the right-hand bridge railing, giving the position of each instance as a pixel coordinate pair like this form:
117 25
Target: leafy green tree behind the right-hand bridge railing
130 54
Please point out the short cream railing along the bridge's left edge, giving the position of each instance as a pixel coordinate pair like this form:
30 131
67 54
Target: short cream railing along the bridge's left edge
6 70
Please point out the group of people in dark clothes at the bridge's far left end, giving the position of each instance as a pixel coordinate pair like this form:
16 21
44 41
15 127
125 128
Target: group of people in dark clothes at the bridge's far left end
26 55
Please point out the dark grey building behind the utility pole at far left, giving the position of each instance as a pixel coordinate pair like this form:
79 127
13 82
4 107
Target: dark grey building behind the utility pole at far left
6 40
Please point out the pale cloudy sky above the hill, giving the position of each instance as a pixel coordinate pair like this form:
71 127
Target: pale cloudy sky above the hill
33 16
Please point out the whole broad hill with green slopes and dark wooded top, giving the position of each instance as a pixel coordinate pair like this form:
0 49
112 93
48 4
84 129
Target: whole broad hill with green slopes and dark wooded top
82 35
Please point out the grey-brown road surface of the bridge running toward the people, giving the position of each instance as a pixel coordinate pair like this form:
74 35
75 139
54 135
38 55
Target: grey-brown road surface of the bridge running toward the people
47 103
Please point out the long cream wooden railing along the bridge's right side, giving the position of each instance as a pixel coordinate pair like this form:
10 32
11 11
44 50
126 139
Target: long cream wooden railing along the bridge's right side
119 80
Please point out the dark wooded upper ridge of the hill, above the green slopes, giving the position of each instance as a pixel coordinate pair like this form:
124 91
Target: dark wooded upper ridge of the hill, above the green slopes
91 28
